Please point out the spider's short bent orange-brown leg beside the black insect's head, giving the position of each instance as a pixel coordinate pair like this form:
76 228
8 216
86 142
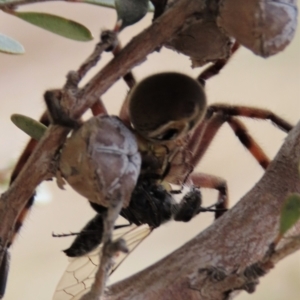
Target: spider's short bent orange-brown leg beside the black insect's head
213 182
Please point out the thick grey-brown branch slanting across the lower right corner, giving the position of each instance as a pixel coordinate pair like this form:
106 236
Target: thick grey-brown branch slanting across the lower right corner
220 259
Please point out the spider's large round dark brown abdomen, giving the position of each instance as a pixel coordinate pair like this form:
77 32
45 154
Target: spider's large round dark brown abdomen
166 106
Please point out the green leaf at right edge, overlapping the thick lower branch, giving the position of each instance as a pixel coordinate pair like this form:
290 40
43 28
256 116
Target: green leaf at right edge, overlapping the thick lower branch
290 213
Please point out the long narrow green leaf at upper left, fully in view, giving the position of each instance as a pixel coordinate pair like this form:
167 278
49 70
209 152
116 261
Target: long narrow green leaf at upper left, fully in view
61 26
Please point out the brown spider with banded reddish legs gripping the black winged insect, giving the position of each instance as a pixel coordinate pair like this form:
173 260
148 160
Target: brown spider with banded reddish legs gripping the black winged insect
175 149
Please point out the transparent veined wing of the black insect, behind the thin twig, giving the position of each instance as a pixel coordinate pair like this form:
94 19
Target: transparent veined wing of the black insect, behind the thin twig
79 275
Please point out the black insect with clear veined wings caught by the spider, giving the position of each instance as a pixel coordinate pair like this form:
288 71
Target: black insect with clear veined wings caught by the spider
151 205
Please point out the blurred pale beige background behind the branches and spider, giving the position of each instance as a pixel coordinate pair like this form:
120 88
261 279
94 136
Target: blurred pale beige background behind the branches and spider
37 261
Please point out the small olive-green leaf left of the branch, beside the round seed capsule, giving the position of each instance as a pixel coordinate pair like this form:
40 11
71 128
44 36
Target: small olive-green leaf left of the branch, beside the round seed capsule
30 126
